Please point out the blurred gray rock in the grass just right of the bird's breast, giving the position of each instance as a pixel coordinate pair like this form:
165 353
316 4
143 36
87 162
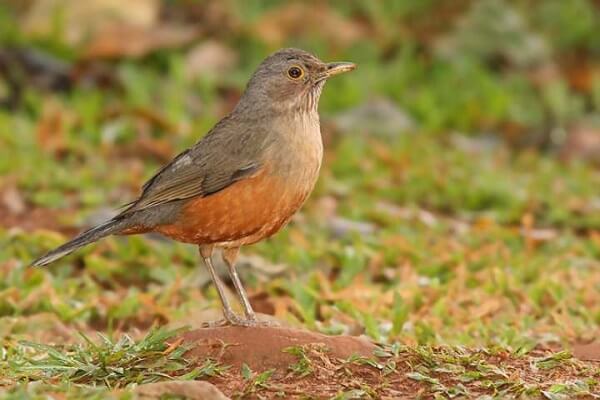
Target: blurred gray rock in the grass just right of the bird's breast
379 116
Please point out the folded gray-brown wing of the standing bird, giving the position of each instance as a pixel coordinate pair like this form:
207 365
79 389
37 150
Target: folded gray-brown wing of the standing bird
218 160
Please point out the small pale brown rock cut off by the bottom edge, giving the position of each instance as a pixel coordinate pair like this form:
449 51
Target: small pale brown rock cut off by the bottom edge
190 390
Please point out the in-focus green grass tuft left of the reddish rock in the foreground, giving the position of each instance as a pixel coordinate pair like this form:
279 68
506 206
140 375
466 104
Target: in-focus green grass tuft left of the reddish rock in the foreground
113 363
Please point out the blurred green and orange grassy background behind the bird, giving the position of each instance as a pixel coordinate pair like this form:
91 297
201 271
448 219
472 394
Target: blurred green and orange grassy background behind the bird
459 200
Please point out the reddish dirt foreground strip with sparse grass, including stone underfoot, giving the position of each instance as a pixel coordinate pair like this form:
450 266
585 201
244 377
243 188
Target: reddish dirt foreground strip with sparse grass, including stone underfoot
277 362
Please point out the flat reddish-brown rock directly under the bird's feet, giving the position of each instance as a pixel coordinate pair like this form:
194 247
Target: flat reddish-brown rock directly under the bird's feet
262 348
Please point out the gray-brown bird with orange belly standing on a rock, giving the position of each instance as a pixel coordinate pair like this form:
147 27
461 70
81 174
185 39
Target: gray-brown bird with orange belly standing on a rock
240 183
